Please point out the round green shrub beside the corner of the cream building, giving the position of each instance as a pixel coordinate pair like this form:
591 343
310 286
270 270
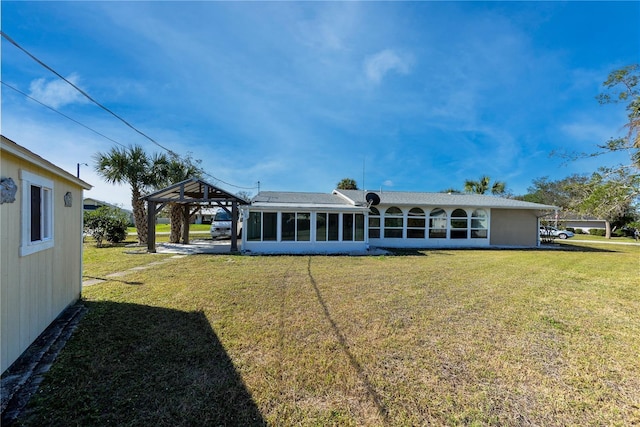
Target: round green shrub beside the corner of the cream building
106 223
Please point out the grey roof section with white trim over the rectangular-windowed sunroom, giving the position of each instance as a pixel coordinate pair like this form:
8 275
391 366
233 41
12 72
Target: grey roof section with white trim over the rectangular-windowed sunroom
303 200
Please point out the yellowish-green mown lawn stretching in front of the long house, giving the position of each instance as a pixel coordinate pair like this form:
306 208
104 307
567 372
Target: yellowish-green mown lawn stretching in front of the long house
443 337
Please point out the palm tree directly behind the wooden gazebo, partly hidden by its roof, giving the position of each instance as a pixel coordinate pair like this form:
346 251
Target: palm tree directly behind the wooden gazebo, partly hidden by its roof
171 171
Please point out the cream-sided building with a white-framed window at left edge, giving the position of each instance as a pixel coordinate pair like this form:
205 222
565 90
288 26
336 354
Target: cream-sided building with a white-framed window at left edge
41 246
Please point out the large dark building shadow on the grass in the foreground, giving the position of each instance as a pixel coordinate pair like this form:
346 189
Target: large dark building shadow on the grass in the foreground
131 364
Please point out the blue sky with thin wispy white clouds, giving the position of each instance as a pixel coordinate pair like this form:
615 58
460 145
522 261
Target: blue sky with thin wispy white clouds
403 96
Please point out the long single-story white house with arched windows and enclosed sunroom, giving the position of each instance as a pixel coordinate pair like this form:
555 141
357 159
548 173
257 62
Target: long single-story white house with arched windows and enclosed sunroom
347 221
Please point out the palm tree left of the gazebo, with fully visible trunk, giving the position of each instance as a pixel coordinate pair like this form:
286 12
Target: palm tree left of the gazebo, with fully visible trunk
129 166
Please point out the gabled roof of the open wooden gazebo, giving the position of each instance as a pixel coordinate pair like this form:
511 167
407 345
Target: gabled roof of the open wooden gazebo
194 191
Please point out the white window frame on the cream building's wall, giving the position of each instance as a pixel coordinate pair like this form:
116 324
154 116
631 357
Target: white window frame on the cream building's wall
46 241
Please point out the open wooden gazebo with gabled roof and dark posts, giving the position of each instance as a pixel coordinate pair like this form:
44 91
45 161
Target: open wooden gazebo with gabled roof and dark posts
192 194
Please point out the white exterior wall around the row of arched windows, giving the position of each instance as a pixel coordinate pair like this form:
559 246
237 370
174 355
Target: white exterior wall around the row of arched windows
427 242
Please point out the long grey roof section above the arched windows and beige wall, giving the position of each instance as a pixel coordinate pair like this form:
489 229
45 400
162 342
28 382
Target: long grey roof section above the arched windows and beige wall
400 198
